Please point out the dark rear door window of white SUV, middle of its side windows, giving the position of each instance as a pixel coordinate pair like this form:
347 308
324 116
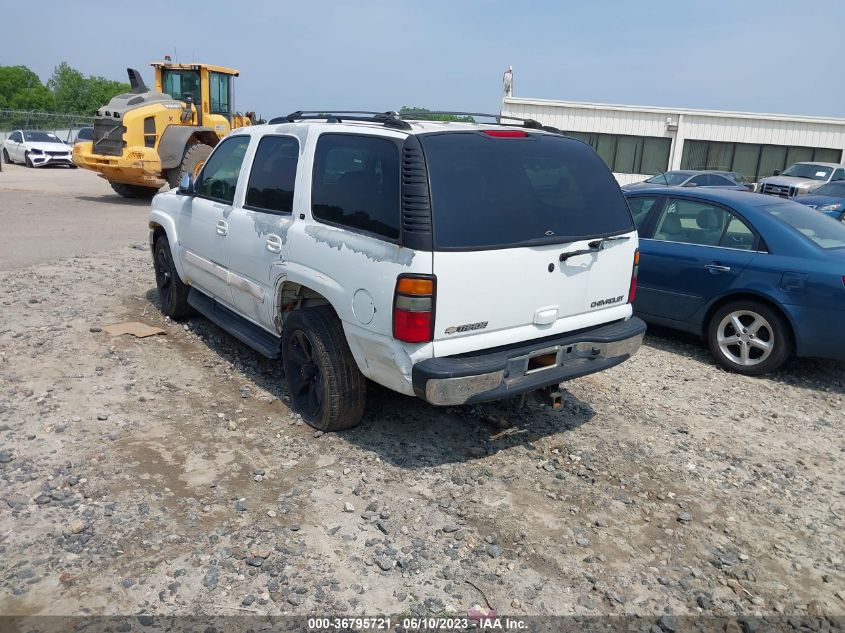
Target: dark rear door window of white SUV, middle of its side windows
273 174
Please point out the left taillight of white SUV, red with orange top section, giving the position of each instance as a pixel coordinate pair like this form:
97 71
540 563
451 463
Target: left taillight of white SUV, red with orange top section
413 308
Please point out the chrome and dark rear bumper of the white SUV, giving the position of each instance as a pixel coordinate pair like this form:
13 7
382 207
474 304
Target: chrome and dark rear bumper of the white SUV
504 372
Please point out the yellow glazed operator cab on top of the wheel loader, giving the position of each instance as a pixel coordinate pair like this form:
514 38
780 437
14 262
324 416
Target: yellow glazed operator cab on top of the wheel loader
211 88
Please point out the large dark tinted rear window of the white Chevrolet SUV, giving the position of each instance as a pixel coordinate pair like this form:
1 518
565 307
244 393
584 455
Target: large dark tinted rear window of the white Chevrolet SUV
491 192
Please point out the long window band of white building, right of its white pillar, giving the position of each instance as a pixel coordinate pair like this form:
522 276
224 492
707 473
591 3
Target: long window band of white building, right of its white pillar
751 160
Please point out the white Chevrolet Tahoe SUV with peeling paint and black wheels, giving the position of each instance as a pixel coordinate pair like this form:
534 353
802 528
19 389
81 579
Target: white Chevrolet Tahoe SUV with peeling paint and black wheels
458 262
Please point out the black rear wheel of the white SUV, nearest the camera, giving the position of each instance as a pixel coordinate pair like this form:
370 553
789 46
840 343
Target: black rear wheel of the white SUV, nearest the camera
324 382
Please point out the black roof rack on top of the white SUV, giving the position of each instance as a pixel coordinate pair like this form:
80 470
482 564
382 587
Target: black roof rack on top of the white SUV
400 120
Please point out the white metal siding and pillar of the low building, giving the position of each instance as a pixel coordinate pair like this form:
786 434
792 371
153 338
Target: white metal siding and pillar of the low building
680 125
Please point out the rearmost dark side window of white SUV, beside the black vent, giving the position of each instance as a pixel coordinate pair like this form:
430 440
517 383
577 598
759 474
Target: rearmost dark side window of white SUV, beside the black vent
356 183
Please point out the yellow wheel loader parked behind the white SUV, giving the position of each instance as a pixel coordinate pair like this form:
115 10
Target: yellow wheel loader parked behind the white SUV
146 138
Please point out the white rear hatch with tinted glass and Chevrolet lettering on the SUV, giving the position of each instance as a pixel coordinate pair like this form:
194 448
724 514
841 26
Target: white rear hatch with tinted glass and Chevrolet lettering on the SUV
506 205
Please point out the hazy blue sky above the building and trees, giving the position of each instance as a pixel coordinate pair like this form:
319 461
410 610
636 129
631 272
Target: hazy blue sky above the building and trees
754 55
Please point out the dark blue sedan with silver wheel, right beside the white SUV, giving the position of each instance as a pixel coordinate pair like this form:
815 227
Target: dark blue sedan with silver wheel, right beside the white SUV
759 278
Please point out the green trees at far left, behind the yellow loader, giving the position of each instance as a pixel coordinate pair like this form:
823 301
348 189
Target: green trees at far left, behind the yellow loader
68 91
